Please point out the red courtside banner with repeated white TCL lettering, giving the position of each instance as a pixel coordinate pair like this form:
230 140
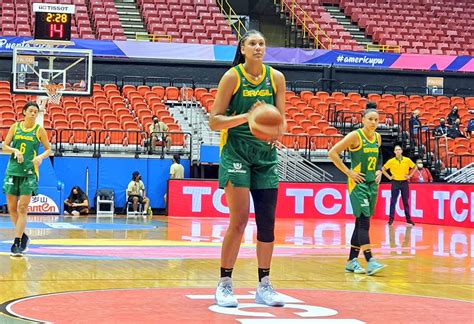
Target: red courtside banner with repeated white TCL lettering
441 204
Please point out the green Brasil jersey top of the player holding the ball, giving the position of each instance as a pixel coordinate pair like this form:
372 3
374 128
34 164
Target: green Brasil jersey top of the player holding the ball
246 93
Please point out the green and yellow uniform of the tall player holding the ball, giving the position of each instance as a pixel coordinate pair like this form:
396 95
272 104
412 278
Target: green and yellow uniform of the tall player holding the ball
245 160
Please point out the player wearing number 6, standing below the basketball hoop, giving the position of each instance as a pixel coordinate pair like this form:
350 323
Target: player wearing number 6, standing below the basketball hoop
21 176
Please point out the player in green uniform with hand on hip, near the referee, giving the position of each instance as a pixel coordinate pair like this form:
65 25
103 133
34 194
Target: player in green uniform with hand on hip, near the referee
363 181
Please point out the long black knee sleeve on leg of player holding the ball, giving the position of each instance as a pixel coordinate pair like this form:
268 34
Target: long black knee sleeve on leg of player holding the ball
264 201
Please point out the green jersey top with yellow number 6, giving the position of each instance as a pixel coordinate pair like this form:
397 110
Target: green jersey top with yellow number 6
27 142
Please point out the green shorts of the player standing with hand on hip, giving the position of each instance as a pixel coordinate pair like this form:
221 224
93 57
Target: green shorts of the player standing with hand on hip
363 198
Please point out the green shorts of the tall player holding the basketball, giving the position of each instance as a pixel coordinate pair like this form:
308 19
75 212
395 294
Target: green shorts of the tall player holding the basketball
248 165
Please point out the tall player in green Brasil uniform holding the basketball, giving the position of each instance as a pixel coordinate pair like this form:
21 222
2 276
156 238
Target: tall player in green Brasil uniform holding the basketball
247 163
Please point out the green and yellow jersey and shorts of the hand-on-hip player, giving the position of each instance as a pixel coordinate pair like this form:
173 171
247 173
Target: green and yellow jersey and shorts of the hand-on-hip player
364 159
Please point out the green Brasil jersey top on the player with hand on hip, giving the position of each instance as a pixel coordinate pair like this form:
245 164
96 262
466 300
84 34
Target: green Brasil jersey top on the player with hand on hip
364 157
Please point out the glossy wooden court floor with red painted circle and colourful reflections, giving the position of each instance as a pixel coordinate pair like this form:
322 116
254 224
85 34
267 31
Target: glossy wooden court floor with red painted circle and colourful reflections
181 256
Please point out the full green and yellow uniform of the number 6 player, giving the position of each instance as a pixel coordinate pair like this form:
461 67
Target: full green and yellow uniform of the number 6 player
22 178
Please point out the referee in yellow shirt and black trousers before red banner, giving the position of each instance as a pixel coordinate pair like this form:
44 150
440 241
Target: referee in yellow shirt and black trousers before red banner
402 169
